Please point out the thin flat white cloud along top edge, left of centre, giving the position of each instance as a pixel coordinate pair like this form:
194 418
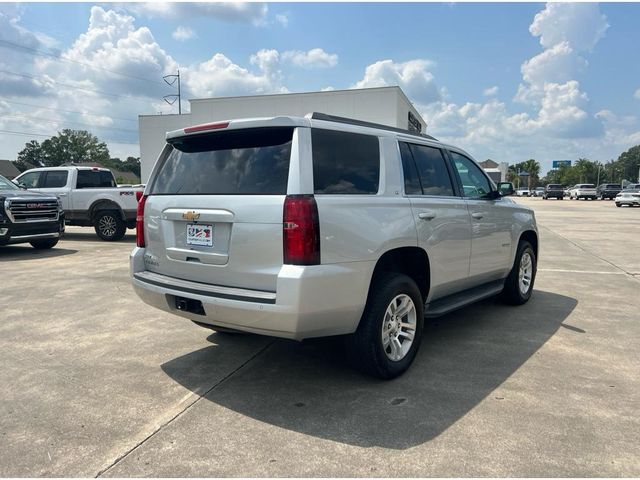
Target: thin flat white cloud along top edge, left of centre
255 13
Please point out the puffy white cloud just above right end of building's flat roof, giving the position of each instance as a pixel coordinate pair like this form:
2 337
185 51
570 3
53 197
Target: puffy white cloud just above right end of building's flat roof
413 77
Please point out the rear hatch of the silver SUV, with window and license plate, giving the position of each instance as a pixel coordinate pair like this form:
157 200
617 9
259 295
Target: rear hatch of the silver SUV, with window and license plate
215 206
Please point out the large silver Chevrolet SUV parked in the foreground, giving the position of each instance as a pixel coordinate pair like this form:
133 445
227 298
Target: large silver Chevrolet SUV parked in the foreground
316 226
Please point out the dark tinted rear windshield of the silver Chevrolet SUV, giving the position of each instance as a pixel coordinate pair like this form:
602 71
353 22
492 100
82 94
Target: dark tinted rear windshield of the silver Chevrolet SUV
237 162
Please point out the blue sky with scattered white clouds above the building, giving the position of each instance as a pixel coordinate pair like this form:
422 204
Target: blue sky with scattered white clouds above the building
506 81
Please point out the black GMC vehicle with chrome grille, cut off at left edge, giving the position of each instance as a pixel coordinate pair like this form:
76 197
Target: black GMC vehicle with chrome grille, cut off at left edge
29 217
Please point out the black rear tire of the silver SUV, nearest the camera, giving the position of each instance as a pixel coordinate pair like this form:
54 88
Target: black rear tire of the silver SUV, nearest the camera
365 347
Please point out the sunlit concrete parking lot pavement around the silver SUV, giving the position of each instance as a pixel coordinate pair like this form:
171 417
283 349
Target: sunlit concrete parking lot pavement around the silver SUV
95 383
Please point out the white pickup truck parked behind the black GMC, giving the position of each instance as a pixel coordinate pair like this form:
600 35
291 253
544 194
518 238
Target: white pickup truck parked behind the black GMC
90 197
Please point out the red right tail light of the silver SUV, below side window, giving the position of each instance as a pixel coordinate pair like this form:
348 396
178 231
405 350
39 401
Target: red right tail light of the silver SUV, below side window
301 230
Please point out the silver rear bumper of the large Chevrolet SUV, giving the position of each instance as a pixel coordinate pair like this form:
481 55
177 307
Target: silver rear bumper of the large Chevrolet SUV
313 301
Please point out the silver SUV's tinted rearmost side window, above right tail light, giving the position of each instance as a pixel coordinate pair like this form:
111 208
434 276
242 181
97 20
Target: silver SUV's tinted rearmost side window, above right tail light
345 163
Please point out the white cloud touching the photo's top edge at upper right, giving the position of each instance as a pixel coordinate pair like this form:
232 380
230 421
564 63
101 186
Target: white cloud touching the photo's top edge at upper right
580 24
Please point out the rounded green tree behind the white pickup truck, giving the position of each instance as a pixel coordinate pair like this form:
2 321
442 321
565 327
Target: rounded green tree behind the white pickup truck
69 146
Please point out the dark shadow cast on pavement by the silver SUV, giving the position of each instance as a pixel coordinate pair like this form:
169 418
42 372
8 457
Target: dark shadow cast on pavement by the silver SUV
310 388
